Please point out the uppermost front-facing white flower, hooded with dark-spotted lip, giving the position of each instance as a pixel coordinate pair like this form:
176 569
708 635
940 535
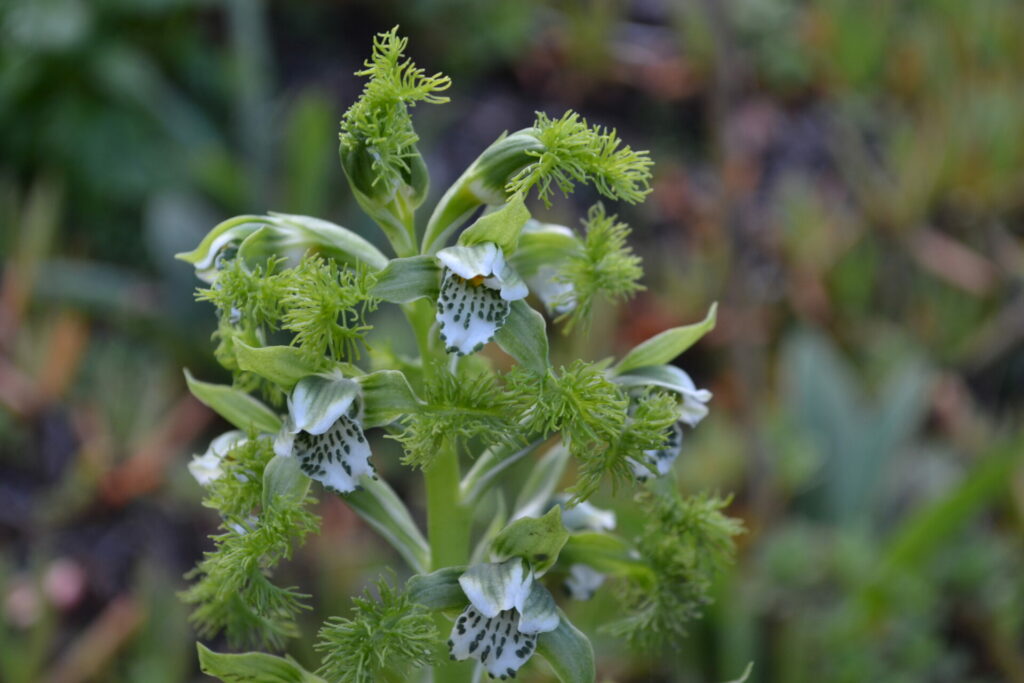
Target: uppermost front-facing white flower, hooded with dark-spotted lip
477 289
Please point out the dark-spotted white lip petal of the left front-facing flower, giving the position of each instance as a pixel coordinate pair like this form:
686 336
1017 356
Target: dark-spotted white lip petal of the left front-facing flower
337 458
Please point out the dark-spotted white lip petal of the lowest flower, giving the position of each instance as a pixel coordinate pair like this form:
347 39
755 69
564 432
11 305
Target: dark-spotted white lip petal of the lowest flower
495 642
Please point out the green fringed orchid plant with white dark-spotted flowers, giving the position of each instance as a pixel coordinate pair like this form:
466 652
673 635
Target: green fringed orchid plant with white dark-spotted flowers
295 297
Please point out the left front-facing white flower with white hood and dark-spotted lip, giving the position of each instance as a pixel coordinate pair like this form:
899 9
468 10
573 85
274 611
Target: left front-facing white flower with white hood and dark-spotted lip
323 431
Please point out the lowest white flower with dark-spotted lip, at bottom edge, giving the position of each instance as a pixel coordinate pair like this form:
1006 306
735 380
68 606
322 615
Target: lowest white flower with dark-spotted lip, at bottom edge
508 610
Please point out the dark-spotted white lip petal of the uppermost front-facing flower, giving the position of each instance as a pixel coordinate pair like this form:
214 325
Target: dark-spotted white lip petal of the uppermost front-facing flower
470 315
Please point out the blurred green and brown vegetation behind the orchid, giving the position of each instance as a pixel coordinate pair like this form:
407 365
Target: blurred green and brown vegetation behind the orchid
846 178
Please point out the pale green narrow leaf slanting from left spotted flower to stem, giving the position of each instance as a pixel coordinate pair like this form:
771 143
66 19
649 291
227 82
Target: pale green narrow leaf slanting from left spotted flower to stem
385 511
